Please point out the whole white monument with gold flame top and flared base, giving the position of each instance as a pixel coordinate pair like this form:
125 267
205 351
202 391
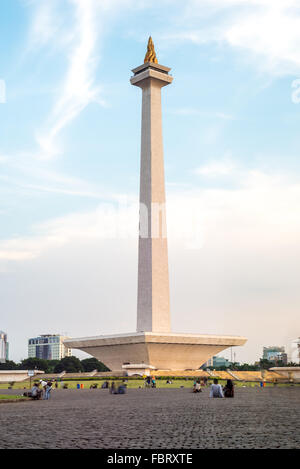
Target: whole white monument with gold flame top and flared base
153 346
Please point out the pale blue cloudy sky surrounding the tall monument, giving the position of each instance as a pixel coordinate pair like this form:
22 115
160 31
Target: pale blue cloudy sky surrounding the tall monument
70 157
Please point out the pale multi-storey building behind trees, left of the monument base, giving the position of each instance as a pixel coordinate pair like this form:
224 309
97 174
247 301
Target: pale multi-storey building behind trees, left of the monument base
48 347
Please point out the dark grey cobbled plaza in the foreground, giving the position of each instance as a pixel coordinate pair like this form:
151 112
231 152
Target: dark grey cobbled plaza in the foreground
153 419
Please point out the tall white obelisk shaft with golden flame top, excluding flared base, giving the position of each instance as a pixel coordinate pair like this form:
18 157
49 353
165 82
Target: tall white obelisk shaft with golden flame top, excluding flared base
153 311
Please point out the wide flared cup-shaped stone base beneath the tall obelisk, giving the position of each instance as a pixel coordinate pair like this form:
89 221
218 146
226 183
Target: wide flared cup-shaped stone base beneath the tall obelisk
164 351
